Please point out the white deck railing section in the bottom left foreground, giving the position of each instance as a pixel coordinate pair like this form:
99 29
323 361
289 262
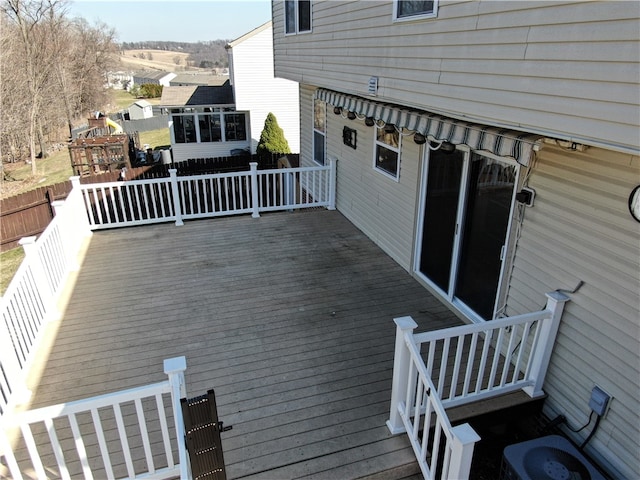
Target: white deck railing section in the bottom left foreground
136 433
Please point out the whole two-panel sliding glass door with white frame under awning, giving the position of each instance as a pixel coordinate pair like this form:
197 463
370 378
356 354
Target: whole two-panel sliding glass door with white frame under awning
467 202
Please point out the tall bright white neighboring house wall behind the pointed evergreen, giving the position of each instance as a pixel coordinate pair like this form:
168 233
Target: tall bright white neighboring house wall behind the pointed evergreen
258 91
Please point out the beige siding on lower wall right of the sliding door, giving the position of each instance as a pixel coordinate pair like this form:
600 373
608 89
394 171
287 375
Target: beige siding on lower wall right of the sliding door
580 229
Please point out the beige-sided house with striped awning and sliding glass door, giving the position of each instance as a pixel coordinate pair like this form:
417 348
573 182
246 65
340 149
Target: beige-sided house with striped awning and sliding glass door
513 103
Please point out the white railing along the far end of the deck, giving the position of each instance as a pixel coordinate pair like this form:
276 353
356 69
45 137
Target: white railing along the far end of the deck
140 202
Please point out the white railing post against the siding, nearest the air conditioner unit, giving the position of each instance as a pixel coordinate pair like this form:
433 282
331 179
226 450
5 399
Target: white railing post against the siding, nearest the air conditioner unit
546 341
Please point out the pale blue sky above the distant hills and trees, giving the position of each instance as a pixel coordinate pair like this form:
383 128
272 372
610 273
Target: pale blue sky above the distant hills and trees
176 21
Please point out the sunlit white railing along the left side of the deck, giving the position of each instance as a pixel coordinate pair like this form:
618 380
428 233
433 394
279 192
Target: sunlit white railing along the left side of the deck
30 300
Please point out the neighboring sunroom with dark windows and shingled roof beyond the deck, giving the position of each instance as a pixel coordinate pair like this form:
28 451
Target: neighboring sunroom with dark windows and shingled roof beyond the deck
204 122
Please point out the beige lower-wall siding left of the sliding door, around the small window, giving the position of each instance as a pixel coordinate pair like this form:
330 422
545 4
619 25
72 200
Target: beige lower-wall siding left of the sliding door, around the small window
384 209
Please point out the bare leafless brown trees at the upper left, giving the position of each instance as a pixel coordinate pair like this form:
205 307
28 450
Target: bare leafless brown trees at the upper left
53 74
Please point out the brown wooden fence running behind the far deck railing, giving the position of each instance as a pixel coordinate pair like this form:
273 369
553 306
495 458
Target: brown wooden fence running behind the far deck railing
29 213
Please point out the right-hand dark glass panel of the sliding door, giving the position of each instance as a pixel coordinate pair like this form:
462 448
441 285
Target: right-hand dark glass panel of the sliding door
487 213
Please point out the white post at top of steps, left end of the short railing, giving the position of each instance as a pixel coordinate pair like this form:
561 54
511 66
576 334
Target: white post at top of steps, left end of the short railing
401 362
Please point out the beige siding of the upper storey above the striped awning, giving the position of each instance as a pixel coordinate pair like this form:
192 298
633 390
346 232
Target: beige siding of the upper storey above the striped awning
516 63
